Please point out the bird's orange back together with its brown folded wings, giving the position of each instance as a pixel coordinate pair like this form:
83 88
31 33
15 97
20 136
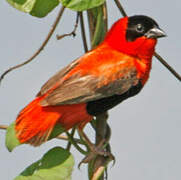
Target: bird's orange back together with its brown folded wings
100 73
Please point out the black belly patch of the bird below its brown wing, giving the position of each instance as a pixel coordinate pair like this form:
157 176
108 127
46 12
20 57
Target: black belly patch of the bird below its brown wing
102 105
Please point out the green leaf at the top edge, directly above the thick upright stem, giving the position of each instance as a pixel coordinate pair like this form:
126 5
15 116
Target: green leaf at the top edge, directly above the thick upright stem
81 5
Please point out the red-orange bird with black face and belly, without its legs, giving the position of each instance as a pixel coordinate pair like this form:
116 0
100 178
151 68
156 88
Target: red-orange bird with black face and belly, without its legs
97 81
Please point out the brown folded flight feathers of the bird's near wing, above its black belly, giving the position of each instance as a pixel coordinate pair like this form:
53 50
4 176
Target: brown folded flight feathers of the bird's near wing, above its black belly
87 88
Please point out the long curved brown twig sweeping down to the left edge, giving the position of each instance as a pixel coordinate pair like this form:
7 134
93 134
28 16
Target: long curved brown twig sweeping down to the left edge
41 47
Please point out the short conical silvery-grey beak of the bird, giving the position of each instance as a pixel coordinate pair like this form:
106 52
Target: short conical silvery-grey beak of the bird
155 32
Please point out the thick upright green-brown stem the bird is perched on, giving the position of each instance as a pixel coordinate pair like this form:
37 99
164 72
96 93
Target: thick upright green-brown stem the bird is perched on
97 19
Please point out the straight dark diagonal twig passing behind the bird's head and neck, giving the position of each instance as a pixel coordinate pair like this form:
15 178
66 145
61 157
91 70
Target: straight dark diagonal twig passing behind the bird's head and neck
172 70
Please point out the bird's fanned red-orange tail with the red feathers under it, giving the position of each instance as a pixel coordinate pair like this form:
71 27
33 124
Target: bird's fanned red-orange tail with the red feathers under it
35 123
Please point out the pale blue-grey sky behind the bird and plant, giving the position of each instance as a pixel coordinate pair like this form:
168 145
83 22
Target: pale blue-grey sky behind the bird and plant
146 129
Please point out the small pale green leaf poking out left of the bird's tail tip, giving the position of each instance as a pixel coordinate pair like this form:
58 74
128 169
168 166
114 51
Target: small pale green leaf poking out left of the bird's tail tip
11 139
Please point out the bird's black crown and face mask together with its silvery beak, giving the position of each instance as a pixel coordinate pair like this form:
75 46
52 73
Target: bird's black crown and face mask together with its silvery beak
140 25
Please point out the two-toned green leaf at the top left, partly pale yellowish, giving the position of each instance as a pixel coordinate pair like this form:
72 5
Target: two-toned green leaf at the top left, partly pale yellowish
38 8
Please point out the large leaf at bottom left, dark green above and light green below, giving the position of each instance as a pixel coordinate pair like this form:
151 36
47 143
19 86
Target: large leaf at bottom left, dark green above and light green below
56 164
